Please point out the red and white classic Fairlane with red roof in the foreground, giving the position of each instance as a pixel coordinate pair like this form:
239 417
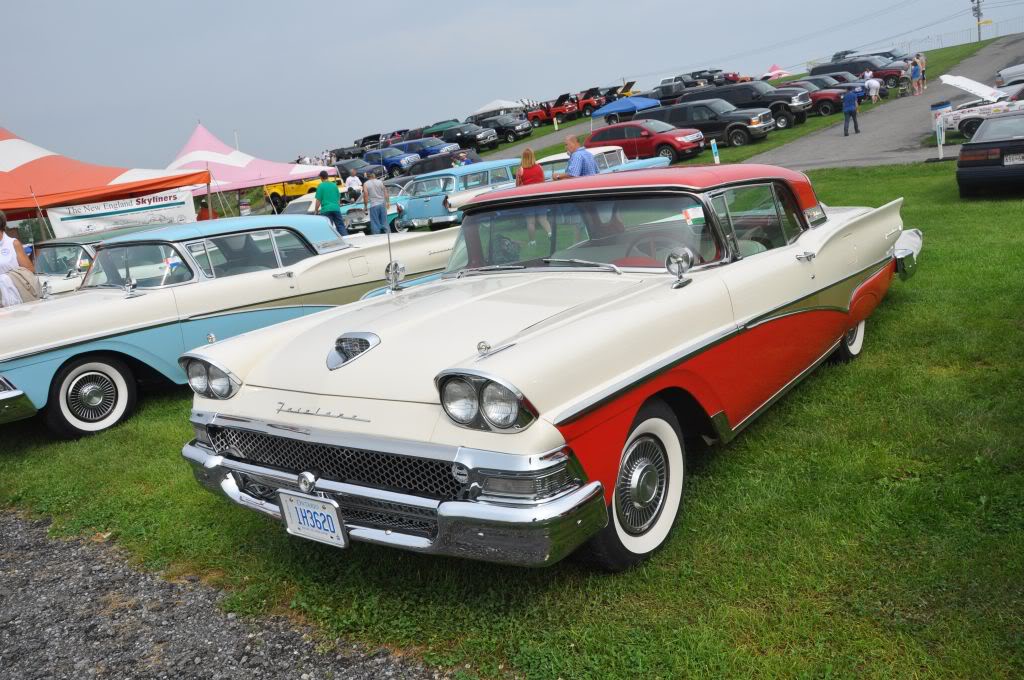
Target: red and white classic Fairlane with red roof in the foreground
536 400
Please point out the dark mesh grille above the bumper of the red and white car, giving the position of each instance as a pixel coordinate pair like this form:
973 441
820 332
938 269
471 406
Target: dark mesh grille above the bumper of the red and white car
419 477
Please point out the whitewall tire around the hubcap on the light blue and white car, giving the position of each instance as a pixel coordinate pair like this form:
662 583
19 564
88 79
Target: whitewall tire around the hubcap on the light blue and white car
65 422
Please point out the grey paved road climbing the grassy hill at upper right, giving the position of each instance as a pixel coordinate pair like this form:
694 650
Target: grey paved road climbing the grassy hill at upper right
891 135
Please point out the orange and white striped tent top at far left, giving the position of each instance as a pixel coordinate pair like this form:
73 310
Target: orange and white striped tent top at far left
34 178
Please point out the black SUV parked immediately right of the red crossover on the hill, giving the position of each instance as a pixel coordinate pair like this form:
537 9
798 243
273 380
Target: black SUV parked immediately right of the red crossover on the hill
717 119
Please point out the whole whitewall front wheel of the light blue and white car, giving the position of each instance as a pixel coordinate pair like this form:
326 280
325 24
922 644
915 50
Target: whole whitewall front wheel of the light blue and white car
91 395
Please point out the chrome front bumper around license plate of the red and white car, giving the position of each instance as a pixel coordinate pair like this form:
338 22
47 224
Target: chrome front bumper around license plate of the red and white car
534 535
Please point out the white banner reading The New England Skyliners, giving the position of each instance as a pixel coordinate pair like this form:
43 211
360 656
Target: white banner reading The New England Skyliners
175 207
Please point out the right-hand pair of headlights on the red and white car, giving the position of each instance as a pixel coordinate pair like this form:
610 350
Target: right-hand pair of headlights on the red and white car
484 404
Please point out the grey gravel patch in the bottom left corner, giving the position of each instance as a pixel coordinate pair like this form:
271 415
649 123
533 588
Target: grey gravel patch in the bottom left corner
75 610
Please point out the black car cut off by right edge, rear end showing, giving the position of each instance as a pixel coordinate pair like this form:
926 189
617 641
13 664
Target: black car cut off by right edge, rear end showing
994 157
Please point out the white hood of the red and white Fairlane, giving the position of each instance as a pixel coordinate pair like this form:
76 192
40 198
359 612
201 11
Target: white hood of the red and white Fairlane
429 329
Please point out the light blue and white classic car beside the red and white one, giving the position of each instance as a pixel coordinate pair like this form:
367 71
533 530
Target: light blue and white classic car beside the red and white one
150 296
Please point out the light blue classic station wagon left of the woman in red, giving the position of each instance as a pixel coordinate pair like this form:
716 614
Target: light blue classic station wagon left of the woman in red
436 199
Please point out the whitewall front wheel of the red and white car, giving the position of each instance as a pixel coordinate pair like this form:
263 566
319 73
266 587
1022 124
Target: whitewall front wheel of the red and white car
648 494
